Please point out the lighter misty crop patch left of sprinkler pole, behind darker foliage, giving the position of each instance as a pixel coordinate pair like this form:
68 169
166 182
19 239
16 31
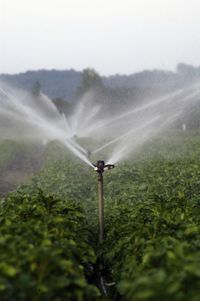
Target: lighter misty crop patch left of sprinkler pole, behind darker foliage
67 179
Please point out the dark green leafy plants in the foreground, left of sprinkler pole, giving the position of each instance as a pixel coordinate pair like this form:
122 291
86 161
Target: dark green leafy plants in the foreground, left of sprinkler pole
44 252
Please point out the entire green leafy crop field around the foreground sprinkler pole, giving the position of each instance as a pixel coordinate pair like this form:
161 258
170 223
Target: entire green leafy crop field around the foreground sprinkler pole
49 246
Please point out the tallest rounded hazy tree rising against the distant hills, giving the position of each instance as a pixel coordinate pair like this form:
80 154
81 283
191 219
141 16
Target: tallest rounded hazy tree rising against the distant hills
90 80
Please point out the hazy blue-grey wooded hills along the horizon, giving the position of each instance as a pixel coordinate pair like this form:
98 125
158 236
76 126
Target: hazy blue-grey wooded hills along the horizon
63 84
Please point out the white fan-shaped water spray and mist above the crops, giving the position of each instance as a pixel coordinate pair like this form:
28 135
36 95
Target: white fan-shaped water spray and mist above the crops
93 128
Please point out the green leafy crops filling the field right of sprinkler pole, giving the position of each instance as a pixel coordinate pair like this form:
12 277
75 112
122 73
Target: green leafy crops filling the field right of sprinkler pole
153 230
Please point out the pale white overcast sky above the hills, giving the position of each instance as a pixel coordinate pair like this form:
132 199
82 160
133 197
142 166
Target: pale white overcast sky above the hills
111 36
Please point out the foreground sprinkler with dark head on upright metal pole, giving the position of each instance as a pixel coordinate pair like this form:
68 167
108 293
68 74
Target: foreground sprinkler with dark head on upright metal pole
99 168
